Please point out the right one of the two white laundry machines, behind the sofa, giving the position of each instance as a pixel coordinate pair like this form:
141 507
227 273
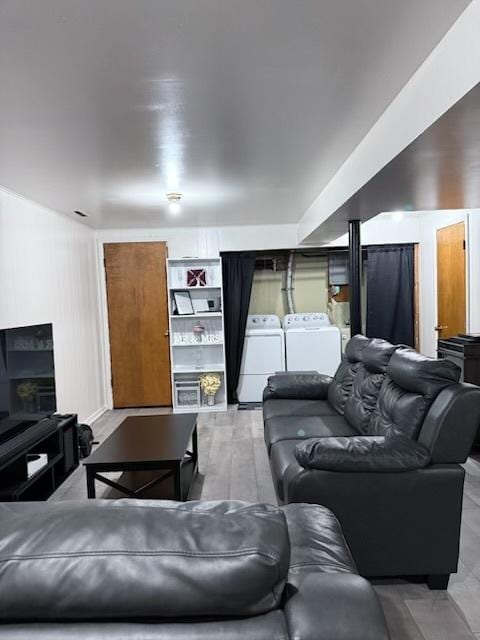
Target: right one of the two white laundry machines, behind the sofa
312 343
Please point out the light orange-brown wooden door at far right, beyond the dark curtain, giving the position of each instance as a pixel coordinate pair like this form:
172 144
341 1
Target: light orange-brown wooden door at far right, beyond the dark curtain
451 281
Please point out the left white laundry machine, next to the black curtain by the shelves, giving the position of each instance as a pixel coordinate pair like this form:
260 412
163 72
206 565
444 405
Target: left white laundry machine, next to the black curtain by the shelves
263 355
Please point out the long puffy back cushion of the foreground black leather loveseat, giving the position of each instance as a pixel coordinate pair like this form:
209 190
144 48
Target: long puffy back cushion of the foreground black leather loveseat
141 559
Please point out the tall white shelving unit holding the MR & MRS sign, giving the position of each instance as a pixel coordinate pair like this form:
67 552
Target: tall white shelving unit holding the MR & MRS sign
193 354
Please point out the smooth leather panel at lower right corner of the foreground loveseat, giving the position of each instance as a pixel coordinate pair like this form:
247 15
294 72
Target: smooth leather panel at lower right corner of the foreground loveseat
337 606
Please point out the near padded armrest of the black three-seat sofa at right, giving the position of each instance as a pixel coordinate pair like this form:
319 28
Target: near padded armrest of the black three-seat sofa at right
362 453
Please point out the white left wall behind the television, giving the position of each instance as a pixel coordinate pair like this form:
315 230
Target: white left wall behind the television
48 274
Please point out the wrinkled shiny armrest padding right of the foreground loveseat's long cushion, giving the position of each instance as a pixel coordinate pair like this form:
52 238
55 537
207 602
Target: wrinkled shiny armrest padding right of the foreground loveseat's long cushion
316 541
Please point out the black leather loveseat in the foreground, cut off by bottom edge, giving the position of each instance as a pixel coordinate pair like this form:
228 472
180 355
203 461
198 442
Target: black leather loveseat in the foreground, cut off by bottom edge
158 570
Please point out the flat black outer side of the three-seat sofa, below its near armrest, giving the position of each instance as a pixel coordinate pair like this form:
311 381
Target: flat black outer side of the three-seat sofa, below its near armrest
394 523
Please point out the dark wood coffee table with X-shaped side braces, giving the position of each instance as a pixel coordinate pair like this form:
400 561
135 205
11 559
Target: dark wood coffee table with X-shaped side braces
149 450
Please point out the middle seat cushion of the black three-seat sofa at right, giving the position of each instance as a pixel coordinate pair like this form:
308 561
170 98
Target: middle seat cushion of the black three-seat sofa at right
303 427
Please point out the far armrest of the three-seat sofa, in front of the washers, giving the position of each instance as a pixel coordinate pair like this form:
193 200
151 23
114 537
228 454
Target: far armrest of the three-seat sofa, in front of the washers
297 386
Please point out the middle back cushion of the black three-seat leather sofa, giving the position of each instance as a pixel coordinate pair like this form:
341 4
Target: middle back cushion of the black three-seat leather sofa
367 383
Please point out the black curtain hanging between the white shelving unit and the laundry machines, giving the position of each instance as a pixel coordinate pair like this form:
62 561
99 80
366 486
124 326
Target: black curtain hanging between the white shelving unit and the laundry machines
238 270
